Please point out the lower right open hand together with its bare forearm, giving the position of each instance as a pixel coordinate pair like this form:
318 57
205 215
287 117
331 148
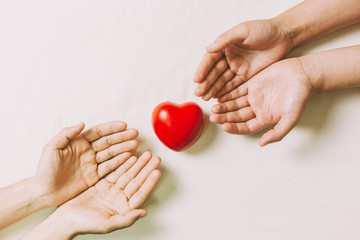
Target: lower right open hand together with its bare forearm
278 94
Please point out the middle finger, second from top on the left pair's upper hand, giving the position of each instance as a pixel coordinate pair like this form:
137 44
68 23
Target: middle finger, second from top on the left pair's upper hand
109 140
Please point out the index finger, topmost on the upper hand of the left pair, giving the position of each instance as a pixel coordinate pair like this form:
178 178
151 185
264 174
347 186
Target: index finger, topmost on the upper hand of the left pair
104 129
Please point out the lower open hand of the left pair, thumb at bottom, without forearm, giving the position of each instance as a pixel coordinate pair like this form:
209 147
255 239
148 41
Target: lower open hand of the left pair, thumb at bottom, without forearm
114 201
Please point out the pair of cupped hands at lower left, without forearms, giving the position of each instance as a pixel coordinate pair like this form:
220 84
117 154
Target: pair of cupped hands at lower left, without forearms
94 179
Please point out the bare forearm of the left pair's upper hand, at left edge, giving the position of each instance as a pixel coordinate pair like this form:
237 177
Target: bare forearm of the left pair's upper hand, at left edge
18 201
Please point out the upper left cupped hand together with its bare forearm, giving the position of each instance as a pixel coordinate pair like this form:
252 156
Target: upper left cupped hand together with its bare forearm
71 162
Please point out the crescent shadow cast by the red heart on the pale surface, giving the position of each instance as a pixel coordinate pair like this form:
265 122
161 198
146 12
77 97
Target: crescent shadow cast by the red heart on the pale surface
206 139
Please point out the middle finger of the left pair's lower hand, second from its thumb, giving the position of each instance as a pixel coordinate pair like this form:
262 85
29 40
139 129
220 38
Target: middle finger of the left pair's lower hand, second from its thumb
137 182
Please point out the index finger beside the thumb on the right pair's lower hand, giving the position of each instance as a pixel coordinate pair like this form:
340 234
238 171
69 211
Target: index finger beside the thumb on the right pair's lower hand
251 126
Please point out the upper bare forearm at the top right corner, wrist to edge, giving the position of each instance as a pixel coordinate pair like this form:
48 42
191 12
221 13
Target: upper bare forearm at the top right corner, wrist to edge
313 18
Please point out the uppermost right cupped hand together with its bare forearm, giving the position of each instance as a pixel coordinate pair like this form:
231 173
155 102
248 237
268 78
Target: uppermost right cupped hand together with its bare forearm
249 47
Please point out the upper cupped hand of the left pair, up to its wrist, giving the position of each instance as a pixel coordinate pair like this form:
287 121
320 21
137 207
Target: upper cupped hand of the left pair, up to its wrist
73 161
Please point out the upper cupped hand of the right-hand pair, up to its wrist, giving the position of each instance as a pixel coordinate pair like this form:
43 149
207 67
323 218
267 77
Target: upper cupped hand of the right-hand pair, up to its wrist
239 54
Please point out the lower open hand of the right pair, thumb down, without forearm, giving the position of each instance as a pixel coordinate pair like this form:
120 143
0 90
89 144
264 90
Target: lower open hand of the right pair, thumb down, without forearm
276 95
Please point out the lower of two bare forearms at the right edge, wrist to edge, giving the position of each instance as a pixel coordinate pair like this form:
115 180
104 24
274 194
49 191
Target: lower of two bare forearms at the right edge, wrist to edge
334 69
